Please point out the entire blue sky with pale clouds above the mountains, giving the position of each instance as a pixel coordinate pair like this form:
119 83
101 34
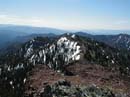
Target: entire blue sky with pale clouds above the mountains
67 14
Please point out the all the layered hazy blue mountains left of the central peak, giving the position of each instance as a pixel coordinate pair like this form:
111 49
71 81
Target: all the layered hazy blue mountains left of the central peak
8 33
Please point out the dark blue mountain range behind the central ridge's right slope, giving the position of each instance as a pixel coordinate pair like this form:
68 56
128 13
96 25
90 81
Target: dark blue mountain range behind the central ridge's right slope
120 41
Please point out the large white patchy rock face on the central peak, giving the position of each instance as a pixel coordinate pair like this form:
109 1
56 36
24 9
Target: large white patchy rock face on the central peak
61 52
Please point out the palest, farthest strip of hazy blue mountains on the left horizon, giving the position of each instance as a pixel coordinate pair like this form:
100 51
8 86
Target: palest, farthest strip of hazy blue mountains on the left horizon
31 29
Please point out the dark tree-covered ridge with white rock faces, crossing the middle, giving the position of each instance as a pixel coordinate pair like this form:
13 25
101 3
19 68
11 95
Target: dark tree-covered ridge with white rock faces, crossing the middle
58 53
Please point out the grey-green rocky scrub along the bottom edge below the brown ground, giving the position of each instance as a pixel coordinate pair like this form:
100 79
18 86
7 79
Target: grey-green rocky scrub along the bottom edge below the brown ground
65 89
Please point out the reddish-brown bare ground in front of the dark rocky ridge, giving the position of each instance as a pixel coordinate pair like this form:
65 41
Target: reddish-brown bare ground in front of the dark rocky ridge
82 75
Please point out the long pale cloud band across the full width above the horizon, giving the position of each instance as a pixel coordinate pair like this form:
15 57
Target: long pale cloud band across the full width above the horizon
66 23
